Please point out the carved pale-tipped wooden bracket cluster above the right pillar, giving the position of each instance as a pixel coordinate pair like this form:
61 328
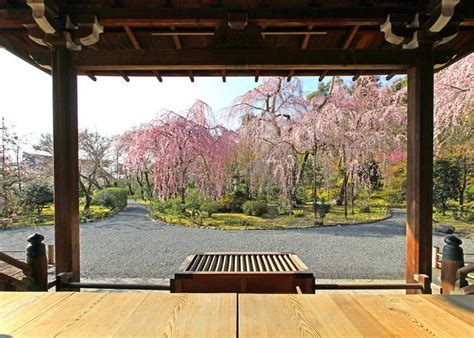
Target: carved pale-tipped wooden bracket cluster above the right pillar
436 26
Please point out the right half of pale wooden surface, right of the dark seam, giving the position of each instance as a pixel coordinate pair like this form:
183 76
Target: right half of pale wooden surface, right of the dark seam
355 315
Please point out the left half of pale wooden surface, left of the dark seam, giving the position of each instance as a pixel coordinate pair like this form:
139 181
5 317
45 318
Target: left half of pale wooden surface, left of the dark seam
117 314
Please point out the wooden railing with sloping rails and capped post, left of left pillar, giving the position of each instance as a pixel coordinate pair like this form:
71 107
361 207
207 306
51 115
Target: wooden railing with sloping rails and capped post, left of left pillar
34 271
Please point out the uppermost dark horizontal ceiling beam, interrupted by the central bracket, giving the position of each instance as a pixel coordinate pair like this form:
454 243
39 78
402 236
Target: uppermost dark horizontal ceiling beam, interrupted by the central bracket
212 16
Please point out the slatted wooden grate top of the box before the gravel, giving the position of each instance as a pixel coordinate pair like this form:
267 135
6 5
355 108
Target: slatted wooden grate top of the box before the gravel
244 262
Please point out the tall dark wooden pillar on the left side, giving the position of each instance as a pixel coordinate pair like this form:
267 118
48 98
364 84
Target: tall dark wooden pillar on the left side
66 166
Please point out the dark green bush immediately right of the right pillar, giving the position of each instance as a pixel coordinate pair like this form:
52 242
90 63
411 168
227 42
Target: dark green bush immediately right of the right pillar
446 177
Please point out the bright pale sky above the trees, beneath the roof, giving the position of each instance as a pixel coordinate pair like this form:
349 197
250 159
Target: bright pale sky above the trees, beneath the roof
110 105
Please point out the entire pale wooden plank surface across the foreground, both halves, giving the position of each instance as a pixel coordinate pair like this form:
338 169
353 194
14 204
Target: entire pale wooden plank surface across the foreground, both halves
230 315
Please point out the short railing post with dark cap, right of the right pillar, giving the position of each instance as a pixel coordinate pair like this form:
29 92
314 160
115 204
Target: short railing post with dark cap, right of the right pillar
452 260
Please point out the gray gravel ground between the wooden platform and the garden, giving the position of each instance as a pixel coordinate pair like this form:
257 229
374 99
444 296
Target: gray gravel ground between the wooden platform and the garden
130 245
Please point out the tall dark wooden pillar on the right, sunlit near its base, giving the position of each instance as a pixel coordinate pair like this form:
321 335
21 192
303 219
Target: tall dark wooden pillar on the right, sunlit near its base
420 165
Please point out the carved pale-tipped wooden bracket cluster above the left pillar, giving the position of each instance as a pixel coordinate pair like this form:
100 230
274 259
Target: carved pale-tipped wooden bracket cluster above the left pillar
54 27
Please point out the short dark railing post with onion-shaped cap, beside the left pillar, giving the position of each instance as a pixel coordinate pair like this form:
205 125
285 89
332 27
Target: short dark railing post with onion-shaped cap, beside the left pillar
36 259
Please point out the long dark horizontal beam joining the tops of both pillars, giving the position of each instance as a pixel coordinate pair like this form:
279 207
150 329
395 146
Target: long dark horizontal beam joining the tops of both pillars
244 59
